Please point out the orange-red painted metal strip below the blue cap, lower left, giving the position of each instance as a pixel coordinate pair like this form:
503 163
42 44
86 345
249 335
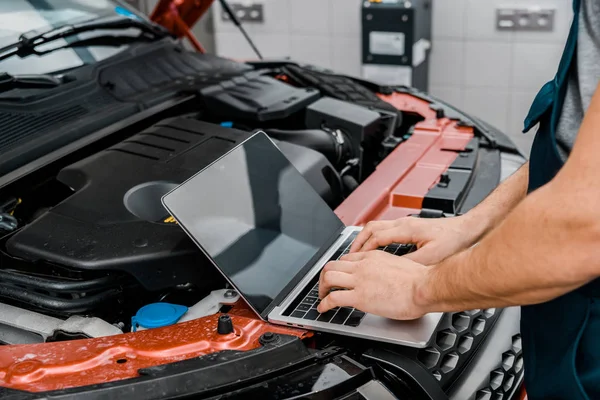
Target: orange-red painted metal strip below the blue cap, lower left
53 366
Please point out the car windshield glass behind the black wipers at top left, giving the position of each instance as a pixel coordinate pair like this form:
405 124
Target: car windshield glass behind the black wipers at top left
20 16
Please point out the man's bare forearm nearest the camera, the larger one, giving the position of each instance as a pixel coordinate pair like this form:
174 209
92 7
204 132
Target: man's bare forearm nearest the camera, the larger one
546 247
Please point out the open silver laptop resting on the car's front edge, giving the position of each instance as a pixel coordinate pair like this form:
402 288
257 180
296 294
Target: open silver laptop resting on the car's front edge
270 234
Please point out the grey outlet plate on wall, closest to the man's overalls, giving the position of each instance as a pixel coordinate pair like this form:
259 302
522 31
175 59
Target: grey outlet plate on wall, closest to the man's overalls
525 19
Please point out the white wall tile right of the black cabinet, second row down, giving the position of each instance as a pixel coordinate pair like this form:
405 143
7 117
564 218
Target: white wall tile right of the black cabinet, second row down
447 62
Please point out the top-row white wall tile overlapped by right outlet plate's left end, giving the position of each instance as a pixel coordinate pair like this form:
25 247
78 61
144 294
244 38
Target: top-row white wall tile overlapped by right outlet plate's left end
481 20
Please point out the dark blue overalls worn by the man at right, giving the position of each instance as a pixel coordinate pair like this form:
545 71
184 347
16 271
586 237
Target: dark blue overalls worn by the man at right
561 338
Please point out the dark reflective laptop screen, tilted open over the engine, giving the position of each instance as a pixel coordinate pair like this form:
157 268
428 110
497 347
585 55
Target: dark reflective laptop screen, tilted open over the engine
257 217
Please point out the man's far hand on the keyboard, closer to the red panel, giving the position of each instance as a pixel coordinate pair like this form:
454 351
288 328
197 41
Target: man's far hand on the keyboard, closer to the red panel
436 239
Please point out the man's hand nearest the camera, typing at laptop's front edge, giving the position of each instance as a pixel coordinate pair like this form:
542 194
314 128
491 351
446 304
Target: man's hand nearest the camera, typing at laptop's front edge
375 282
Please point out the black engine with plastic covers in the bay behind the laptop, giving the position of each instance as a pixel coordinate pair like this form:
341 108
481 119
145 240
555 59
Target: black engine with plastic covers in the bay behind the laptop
94 241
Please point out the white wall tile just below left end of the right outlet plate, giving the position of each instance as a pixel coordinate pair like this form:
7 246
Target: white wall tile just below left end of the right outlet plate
487 64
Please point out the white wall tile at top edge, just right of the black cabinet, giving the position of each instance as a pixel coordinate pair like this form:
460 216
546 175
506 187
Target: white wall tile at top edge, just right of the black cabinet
448 19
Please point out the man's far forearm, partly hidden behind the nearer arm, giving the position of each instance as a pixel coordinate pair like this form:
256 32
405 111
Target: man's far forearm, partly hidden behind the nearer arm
490 212
